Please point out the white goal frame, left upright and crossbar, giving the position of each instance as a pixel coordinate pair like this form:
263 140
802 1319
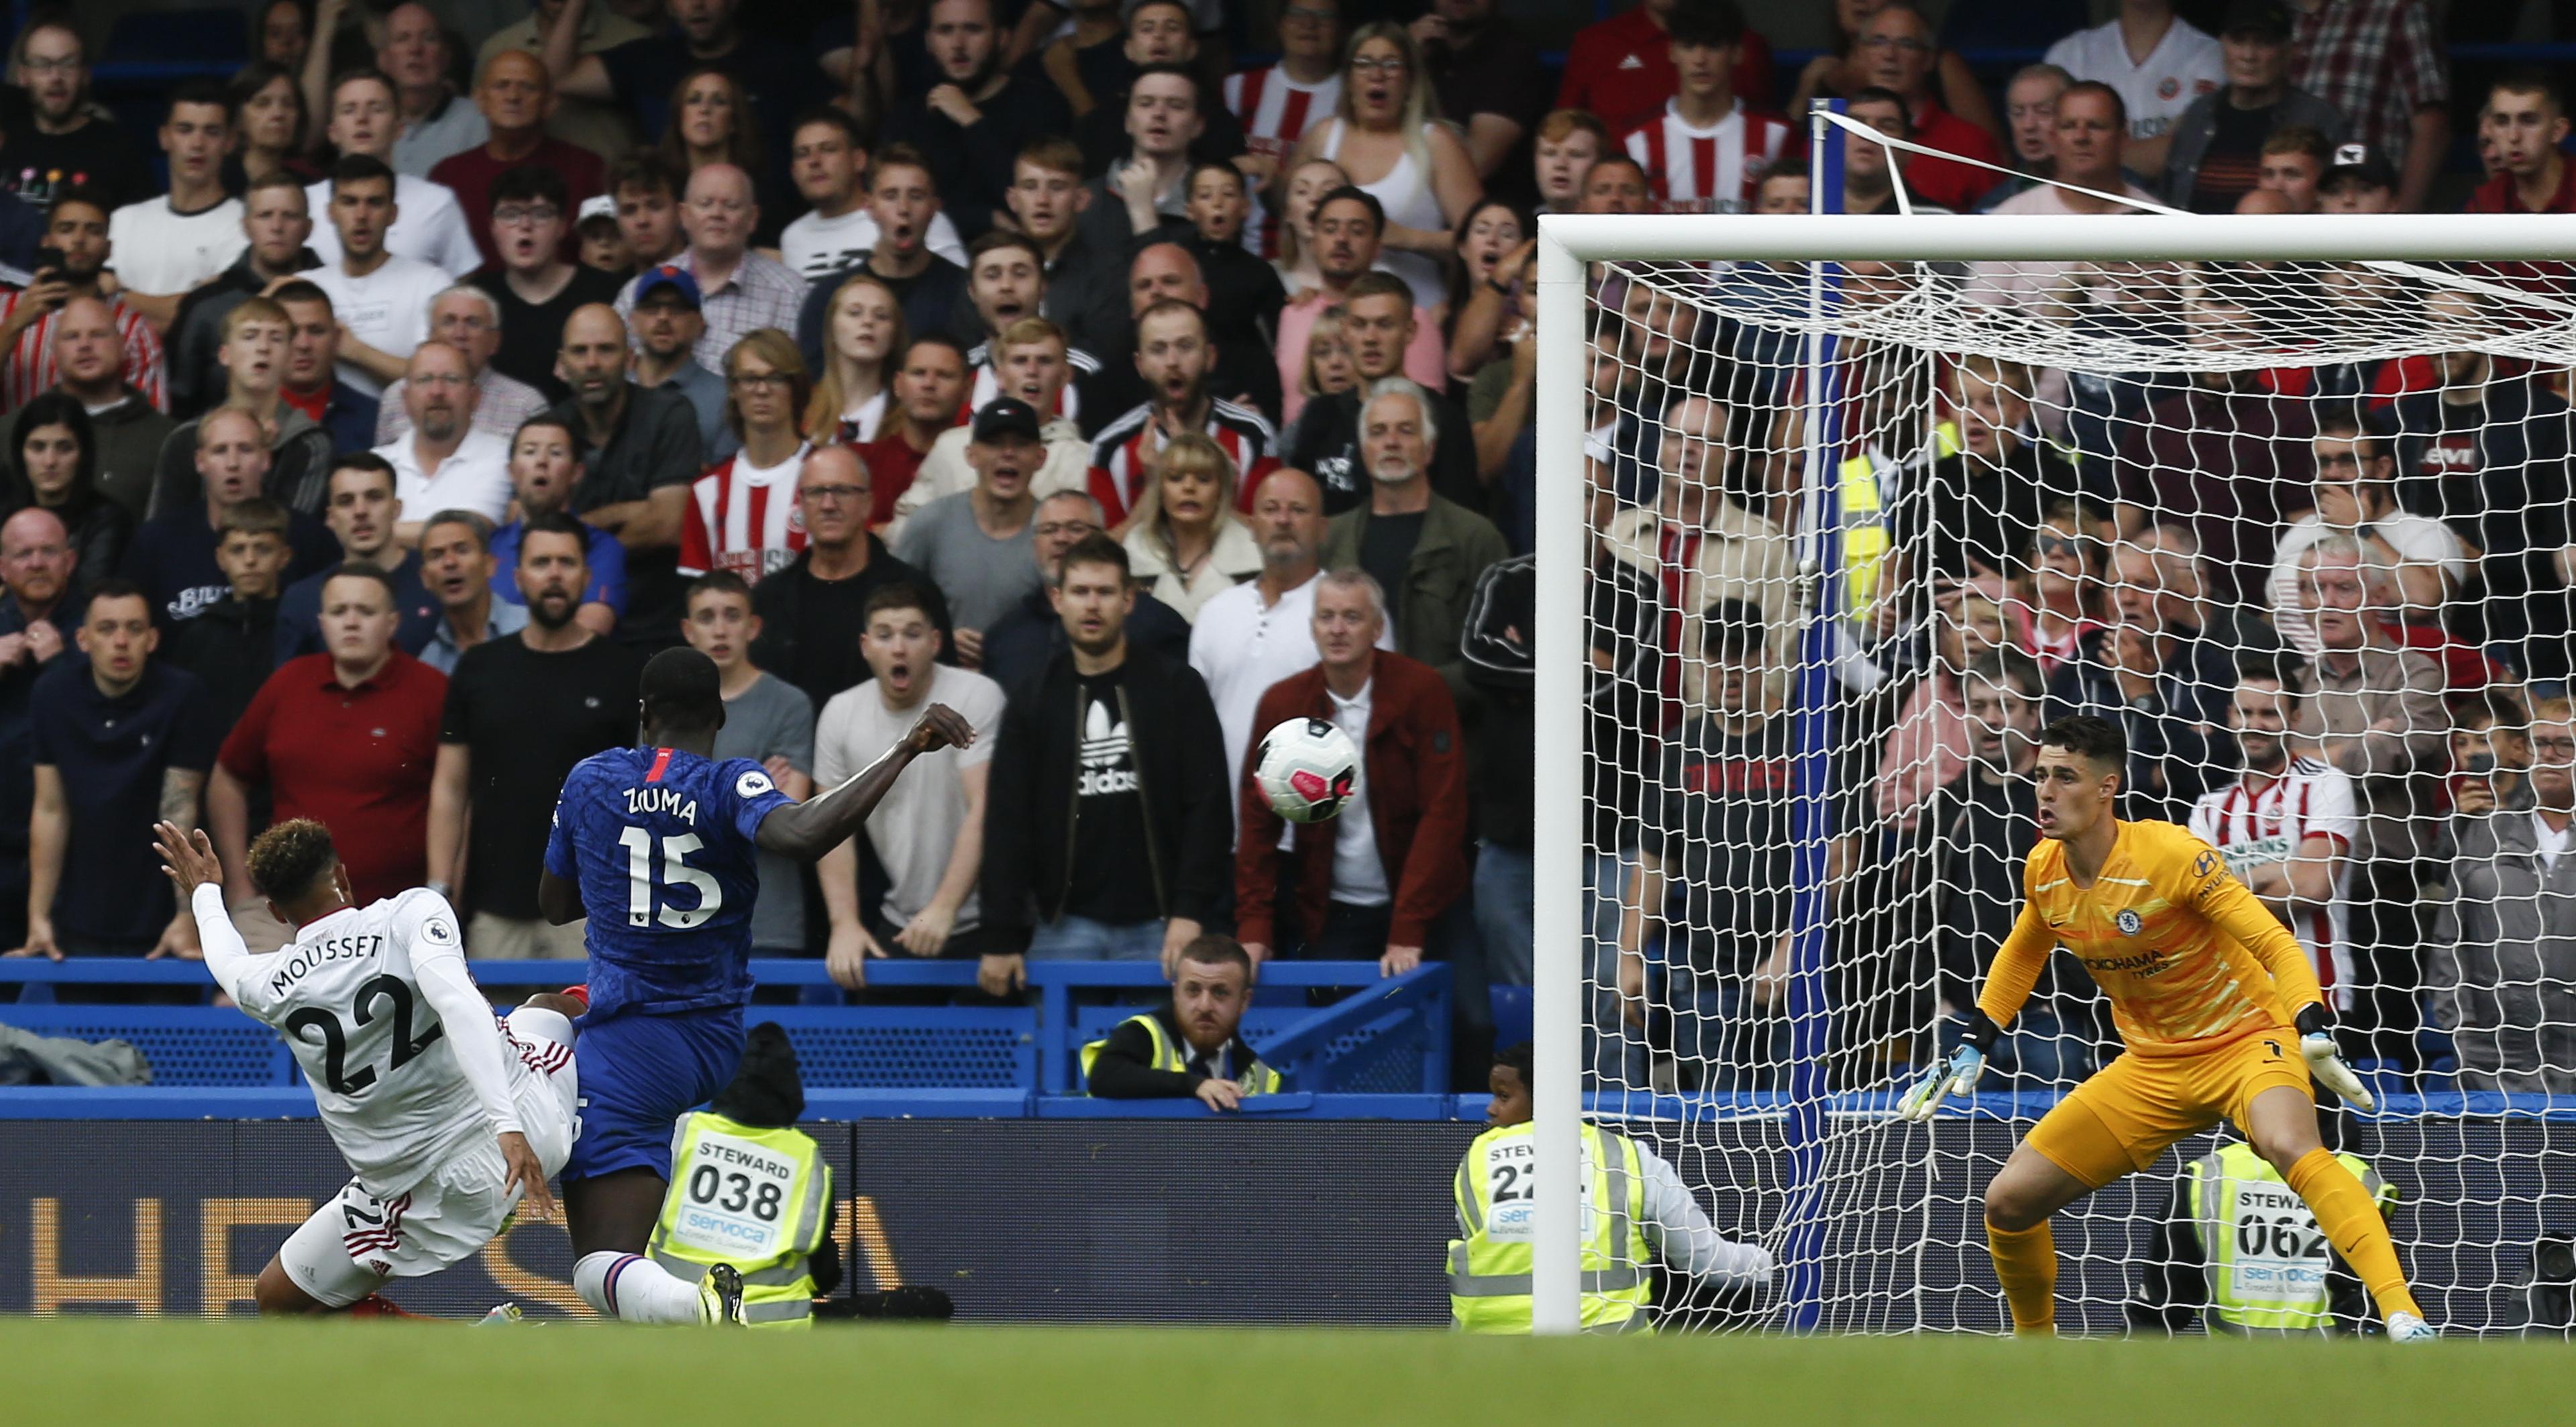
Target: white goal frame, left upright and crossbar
1573 241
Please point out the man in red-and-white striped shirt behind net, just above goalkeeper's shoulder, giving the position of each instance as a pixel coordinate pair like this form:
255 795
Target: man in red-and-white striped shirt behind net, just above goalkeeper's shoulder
2286 828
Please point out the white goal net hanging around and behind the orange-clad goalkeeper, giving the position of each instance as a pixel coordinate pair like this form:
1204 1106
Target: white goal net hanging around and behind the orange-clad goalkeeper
1843 511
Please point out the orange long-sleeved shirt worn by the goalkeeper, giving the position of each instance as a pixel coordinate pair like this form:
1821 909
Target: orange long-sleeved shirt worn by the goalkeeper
2188 957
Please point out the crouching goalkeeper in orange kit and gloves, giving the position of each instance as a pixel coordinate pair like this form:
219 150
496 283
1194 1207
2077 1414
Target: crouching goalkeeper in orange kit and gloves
2217 1003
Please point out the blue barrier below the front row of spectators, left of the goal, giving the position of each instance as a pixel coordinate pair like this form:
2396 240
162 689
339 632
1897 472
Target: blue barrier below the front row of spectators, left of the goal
1382 1037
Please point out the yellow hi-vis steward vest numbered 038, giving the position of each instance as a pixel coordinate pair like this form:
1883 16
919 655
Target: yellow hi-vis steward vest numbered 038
748 1199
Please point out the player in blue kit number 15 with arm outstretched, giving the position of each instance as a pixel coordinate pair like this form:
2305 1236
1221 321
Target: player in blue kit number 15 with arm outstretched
658 846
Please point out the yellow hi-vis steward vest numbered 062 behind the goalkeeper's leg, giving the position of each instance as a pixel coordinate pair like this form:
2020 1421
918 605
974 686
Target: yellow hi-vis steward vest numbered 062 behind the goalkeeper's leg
2260 1245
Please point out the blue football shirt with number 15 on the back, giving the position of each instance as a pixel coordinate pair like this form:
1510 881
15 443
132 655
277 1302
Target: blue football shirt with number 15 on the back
661 844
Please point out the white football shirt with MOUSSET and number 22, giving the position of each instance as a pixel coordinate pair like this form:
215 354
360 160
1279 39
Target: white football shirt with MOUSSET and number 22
375 1003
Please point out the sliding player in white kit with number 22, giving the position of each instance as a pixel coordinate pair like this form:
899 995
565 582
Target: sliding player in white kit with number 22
444 1117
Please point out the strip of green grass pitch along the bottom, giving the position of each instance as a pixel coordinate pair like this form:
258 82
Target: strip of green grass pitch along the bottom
377 1374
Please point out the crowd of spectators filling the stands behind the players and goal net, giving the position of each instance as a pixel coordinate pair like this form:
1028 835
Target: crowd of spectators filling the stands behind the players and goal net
1042 362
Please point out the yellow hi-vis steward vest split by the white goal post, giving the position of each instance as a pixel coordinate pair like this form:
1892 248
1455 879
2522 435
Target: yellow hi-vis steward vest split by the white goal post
1493 1258
